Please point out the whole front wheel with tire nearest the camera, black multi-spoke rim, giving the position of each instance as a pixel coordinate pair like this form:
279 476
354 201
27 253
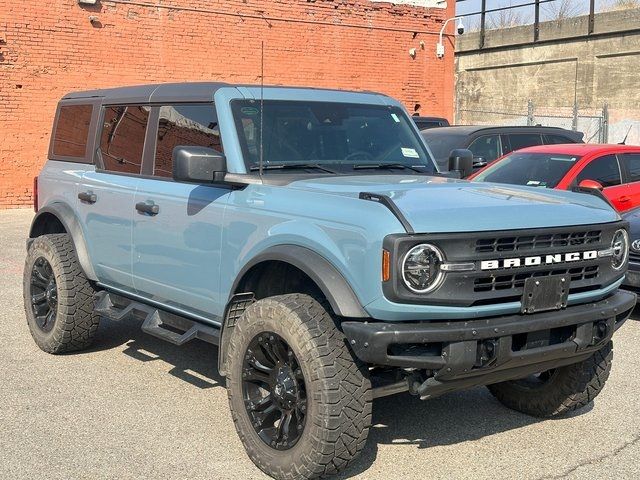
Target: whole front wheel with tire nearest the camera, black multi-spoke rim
300 401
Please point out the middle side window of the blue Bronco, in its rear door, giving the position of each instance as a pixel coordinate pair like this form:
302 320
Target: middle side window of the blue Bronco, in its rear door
122 138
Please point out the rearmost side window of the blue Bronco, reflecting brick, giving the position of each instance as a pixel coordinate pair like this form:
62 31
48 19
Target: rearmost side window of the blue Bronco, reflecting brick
72 131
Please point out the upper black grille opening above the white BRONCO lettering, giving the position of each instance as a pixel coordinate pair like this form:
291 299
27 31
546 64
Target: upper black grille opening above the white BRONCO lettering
536 242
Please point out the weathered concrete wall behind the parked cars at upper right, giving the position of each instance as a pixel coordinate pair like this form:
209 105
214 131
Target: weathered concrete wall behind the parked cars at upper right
565 65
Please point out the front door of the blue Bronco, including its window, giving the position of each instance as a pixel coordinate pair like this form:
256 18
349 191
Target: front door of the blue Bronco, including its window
177 251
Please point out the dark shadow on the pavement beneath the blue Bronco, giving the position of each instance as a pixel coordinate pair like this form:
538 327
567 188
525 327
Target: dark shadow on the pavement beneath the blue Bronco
397 420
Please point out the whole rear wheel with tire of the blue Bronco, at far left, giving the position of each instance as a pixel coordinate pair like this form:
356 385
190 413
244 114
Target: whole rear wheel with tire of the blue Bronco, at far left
58 298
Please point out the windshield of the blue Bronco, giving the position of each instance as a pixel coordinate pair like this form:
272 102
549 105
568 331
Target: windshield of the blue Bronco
329 137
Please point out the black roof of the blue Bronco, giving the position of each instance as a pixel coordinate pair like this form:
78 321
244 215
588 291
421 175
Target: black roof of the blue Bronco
169 92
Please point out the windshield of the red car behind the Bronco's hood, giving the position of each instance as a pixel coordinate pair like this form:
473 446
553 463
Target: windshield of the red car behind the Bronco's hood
531 169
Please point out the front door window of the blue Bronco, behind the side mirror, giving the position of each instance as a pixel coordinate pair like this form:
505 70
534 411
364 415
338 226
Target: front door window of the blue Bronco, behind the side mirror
194 125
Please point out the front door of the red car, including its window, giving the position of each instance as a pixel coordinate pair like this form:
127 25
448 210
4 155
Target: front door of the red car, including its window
606 170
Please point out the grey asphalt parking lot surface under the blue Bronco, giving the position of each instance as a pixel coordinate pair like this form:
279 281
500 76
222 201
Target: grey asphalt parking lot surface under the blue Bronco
136 407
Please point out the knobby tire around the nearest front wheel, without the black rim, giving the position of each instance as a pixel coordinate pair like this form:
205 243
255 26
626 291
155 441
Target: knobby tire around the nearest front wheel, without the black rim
337 385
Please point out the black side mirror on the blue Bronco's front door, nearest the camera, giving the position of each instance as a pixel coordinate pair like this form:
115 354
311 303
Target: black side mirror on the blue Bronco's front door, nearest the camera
198 164
